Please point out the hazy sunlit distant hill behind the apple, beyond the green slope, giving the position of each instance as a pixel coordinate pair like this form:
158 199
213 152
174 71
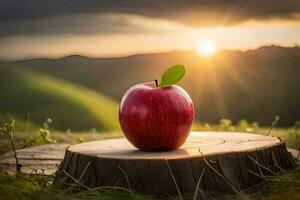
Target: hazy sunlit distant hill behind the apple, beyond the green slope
256 84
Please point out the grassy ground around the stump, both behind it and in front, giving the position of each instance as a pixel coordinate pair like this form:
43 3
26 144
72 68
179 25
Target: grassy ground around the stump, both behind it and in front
39 187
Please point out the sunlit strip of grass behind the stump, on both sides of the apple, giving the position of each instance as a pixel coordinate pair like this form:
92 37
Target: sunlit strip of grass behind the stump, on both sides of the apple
291 135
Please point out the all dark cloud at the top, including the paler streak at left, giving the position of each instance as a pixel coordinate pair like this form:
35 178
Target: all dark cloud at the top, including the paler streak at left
61 16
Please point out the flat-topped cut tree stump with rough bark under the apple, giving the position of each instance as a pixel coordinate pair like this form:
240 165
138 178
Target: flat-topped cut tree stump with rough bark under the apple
210 161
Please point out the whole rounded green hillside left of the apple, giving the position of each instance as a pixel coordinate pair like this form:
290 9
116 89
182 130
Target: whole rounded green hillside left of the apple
70 106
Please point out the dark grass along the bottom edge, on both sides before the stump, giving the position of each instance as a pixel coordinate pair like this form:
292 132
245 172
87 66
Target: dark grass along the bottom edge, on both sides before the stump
282 186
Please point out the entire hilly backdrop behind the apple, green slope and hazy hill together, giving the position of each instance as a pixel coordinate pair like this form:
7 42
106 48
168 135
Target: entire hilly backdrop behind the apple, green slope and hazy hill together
82 93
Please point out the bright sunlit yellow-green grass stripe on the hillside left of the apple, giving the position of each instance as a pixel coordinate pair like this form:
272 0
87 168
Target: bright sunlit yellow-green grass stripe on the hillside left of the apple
103 109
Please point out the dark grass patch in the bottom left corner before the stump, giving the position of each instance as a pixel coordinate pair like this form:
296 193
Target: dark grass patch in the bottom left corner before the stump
34 187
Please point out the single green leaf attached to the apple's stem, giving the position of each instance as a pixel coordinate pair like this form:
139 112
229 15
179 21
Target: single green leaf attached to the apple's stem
172 76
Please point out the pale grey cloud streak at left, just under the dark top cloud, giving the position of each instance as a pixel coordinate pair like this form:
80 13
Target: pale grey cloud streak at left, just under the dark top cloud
72 24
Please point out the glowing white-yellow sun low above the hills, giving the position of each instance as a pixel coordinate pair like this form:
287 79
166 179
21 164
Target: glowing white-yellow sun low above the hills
207 48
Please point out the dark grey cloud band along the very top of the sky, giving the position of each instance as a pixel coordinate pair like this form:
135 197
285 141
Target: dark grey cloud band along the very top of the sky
177 10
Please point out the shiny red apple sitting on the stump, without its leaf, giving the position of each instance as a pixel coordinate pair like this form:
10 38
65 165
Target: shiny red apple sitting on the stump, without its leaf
156 118
